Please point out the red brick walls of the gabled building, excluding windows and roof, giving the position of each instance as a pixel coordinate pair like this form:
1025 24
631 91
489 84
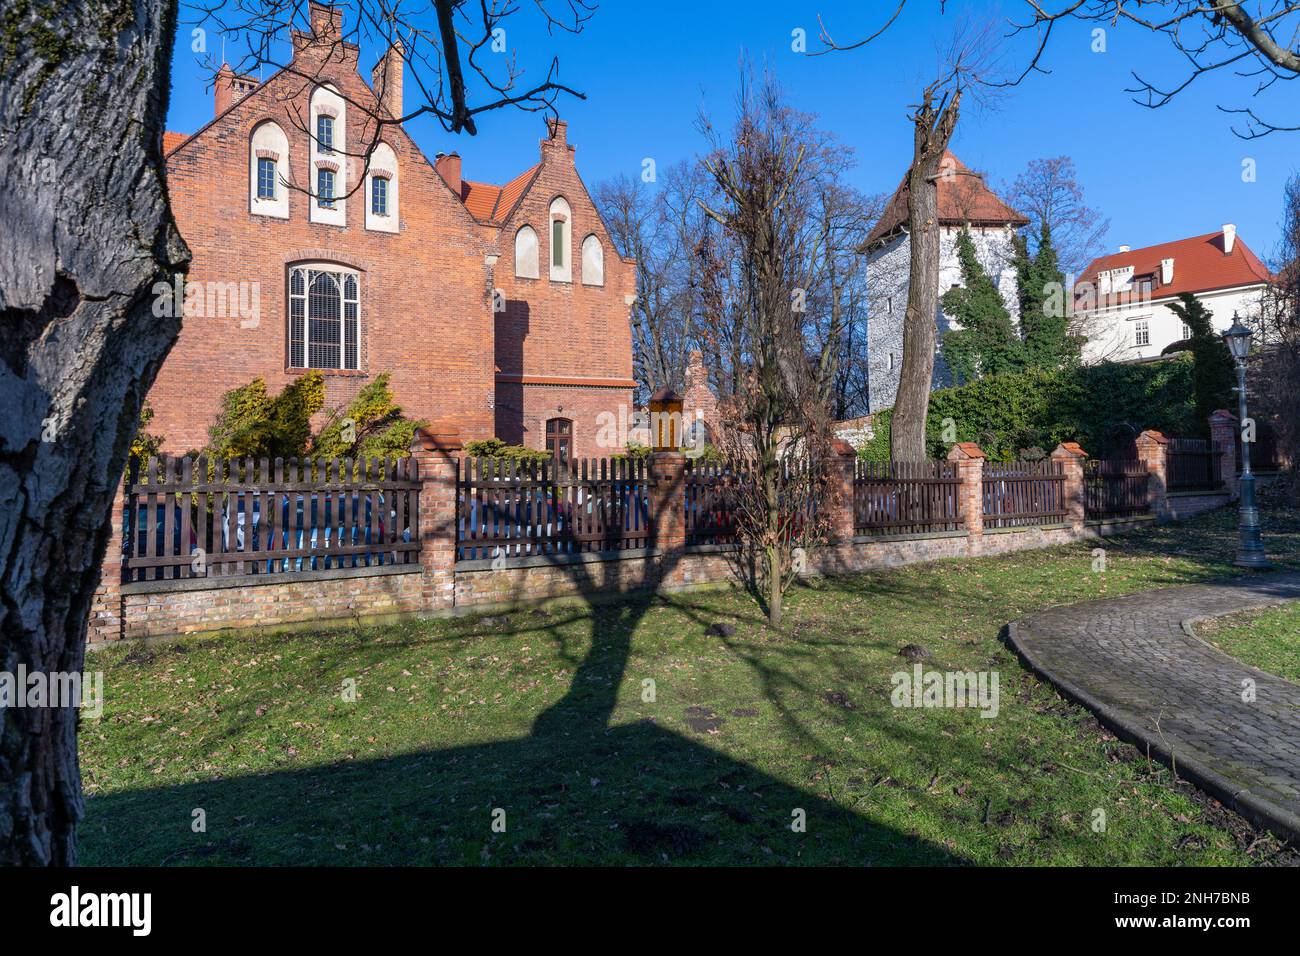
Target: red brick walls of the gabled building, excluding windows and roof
426 292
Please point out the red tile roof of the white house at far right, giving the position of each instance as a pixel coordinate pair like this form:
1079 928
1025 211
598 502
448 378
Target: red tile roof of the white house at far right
1201 266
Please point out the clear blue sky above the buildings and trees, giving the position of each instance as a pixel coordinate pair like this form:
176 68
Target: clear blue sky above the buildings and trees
648 71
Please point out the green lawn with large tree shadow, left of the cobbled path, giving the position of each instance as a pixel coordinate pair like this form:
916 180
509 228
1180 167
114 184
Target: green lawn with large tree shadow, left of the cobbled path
551 719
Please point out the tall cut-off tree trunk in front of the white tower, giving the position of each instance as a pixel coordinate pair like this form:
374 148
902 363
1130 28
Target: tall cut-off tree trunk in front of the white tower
934 128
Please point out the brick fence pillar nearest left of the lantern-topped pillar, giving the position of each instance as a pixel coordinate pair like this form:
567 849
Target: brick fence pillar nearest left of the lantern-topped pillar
435 451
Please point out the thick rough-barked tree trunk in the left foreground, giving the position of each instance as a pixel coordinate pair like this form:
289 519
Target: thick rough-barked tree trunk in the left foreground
88 233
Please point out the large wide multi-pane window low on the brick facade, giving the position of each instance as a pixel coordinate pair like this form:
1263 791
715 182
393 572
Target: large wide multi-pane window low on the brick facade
324 317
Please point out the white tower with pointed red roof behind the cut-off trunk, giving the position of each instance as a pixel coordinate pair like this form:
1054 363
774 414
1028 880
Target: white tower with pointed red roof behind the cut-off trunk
965 202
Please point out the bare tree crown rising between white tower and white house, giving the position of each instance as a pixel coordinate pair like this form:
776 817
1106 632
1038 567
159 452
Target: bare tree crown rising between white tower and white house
1048 192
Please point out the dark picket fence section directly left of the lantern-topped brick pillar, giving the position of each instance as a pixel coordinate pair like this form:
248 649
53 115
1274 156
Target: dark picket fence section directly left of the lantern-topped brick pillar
521 509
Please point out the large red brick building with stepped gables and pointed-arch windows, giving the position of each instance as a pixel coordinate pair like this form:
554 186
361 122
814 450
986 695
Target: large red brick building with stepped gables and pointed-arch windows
499 310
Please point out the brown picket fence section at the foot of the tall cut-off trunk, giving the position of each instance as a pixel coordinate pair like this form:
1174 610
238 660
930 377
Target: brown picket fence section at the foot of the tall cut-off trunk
907 498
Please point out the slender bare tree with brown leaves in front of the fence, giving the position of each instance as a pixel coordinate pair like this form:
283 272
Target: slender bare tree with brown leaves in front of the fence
775 430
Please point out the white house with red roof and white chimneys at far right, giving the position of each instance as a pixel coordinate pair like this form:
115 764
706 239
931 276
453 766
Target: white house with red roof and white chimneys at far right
1123 301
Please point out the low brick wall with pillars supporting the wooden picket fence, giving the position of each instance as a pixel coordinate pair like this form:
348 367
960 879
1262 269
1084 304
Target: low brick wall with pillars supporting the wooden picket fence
440 585
